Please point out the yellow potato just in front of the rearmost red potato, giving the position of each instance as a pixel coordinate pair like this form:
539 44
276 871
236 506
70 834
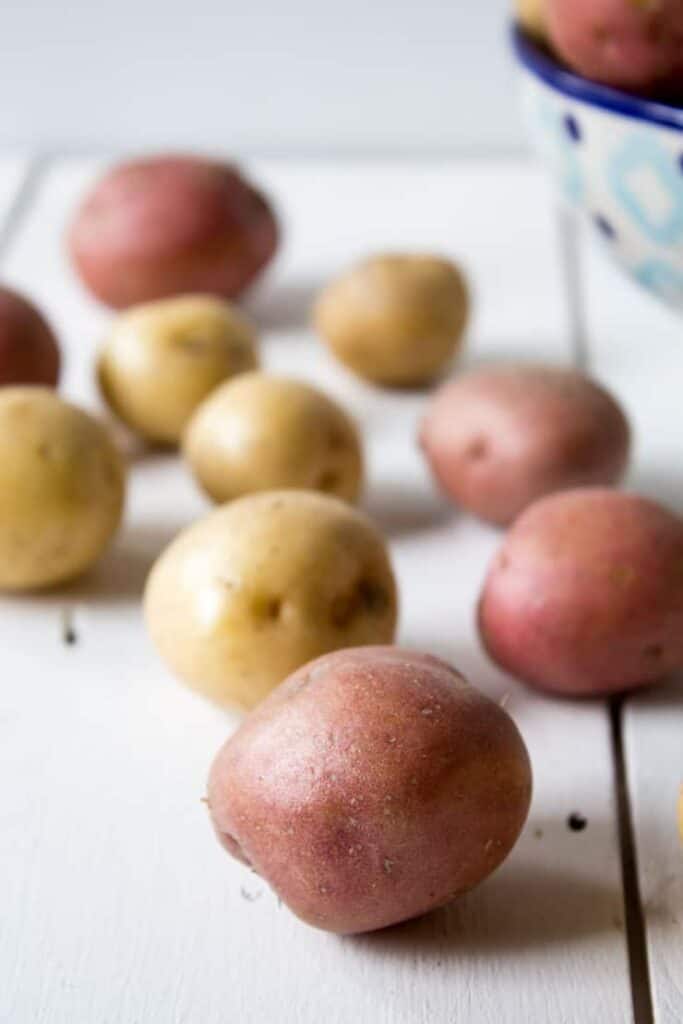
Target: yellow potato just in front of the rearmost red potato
163 359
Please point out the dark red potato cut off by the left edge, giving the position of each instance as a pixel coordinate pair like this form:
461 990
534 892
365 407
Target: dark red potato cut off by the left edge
29 350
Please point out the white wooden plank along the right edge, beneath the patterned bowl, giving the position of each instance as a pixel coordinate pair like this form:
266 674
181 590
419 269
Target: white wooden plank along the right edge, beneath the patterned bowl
635 347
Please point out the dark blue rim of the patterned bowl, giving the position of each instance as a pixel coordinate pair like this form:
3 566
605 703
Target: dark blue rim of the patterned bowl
538 61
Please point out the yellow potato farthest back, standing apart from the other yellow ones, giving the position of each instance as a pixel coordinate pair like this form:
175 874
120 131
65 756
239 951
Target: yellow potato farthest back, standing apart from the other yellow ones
396 320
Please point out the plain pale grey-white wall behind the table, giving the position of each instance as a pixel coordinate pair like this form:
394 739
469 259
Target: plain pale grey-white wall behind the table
259 76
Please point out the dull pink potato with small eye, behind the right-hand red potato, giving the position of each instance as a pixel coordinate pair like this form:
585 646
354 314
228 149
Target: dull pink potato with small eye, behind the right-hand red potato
500 438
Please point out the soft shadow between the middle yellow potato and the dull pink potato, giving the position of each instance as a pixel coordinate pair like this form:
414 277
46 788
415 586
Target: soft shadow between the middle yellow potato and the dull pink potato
401 508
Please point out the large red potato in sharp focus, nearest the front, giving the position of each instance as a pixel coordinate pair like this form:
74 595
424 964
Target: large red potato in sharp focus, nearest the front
373 786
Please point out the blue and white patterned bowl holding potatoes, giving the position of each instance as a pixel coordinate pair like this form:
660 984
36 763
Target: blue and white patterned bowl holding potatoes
616 157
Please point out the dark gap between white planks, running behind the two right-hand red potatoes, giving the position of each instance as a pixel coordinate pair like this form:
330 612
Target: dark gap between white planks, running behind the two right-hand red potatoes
642 995
